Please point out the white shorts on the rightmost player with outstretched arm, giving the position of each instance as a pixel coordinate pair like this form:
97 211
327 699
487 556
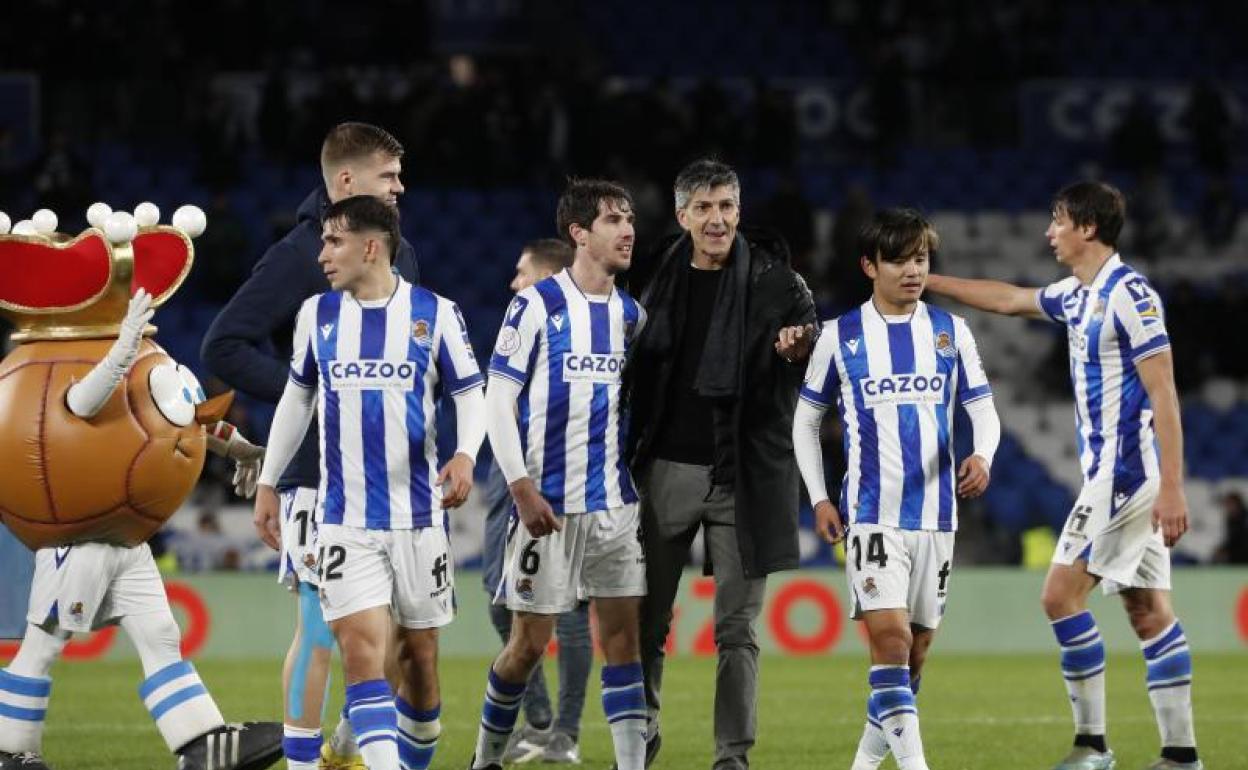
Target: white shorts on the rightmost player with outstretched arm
1114 534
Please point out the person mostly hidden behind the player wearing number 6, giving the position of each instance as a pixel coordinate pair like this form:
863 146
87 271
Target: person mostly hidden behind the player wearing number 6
547 737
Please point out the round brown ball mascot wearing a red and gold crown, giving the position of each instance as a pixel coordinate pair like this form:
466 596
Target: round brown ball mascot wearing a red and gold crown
103 437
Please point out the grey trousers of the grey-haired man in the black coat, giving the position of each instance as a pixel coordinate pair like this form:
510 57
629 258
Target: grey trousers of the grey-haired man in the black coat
677 500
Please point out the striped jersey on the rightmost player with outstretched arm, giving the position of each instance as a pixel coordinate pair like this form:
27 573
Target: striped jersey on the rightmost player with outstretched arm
1111 325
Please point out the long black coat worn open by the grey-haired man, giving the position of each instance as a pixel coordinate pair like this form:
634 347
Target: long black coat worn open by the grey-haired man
754 425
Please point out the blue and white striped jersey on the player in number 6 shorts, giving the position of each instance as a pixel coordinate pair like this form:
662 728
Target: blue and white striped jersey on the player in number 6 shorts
567 351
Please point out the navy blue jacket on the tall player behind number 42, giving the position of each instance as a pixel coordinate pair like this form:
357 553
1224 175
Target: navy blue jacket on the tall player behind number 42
264 310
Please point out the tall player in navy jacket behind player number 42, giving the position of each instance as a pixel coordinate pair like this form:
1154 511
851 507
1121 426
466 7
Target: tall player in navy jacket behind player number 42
356 159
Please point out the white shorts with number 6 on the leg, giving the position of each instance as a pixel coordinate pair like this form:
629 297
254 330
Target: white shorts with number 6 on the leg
596 555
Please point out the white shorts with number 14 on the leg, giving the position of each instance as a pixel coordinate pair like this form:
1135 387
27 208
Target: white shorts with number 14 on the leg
892 568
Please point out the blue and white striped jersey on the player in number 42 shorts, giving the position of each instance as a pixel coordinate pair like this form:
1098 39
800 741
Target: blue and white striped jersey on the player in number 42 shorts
380 371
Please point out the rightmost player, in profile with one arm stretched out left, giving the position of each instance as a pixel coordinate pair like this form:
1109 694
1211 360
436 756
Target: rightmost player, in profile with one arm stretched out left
1133 506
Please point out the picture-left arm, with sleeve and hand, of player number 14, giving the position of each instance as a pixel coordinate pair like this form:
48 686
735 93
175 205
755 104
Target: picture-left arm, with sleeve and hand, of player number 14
818 394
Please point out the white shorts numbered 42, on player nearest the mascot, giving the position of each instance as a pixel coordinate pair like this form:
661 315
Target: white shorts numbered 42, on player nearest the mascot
410 571
